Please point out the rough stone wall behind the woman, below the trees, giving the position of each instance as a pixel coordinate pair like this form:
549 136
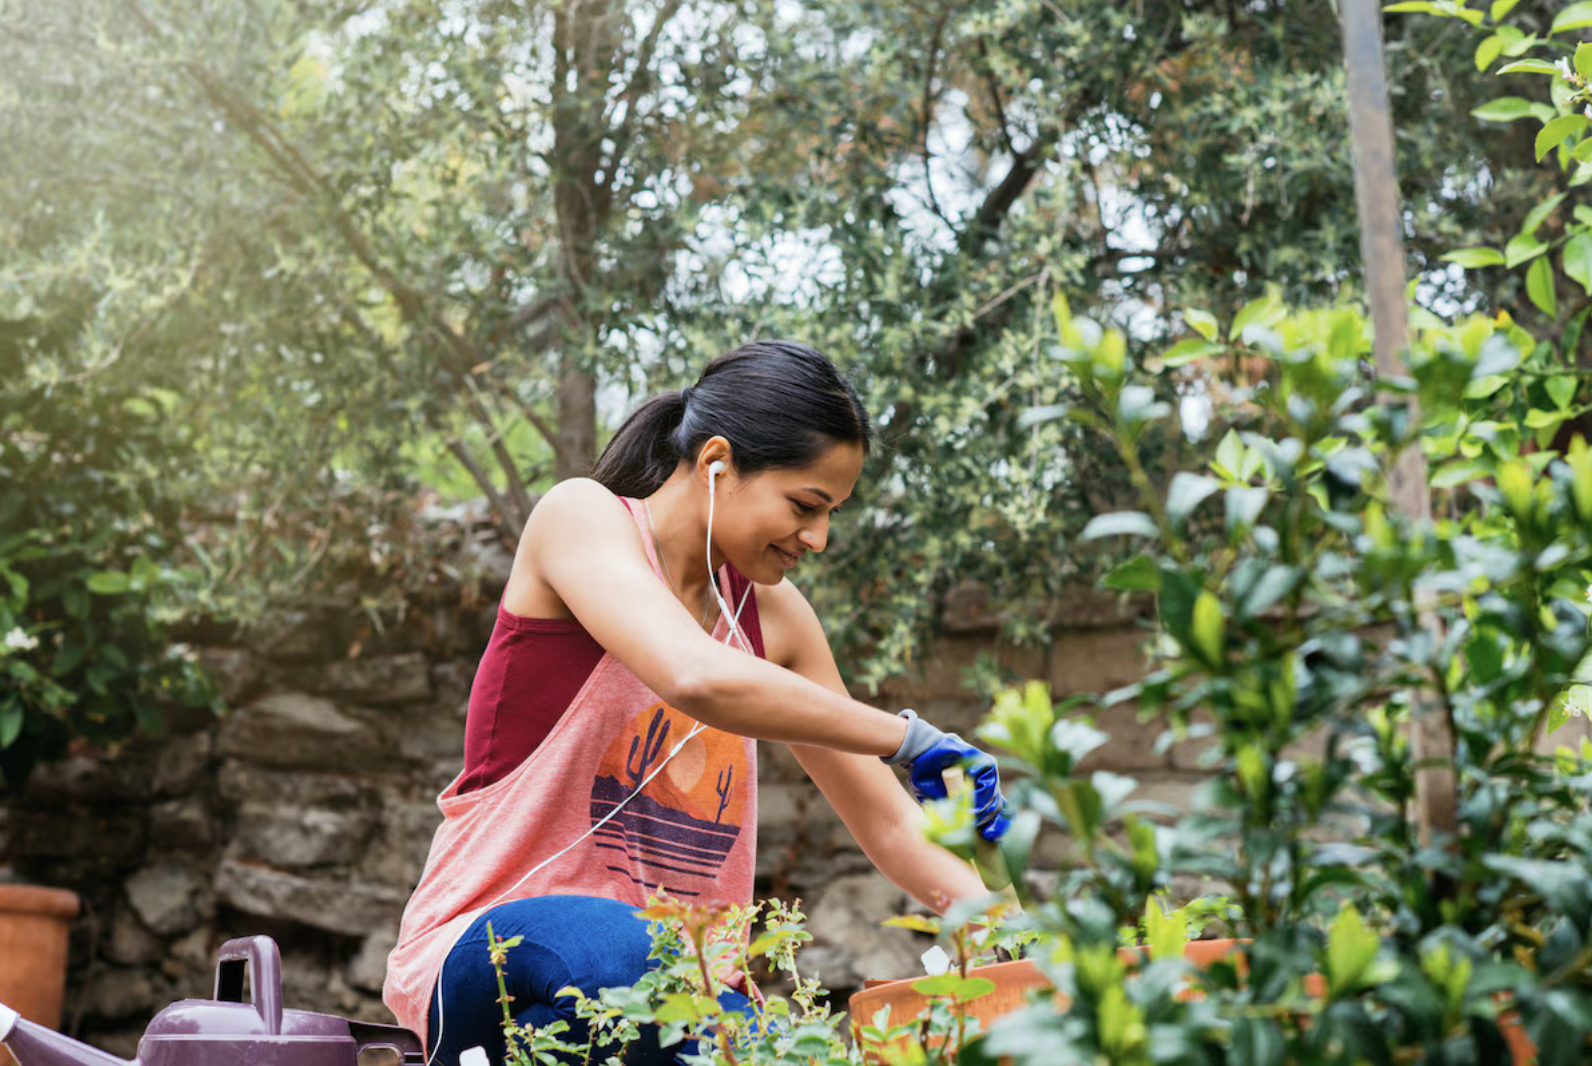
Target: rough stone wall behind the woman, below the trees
306 812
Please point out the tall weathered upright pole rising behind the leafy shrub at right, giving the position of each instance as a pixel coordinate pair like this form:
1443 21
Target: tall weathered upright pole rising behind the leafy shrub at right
1376 195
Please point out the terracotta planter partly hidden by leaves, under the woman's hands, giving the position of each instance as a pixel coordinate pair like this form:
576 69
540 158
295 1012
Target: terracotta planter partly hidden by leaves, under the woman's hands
1015 981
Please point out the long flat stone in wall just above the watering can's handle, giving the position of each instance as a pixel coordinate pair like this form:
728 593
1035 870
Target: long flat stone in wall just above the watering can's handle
343 908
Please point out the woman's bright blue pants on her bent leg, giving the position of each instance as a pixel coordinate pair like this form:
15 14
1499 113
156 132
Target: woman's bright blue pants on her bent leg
582 941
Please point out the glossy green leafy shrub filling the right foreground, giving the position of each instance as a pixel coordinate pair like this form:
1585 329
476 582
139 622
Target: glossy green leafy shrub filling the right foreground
1313 632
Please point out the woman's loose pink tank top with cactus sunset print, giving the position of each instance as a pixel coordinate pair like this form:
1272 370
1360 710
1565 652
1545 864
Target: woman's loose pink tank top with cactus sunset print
669 804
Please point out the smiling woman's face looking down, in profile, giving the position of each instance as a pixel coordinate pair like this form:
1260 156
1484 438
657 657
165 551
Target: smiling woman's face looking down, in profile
767 523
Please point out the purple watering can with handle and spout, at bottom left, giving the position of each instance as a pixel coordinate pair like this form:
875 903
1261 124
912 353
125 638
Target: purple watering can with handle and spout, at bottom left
227 1032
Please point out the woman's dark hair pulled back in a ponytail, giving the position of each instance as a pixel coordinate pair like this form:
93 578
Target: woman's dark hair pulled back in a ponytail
778 403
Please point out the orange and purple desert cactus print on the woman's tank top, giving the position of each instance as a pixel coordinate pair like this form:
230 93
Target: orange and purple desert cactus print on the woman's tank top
687 814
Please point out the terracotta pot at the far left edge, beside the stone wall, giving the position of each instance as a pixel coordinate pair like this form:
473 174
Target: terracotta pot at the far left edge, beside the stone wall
34 925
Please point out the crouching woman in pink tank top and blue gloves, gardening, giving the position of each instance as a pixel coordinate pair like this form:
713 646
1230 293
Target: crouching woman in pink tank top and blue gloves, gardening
647 639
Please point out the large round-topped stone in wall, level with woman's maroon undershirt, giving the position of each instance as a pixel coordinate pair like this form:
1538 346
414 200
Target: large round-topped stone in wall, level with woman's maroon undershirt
292 729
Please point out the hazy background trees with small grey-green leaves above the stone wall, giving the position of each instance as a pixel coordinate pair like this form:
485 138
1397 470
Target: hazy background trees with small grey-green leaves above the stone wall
404 247
